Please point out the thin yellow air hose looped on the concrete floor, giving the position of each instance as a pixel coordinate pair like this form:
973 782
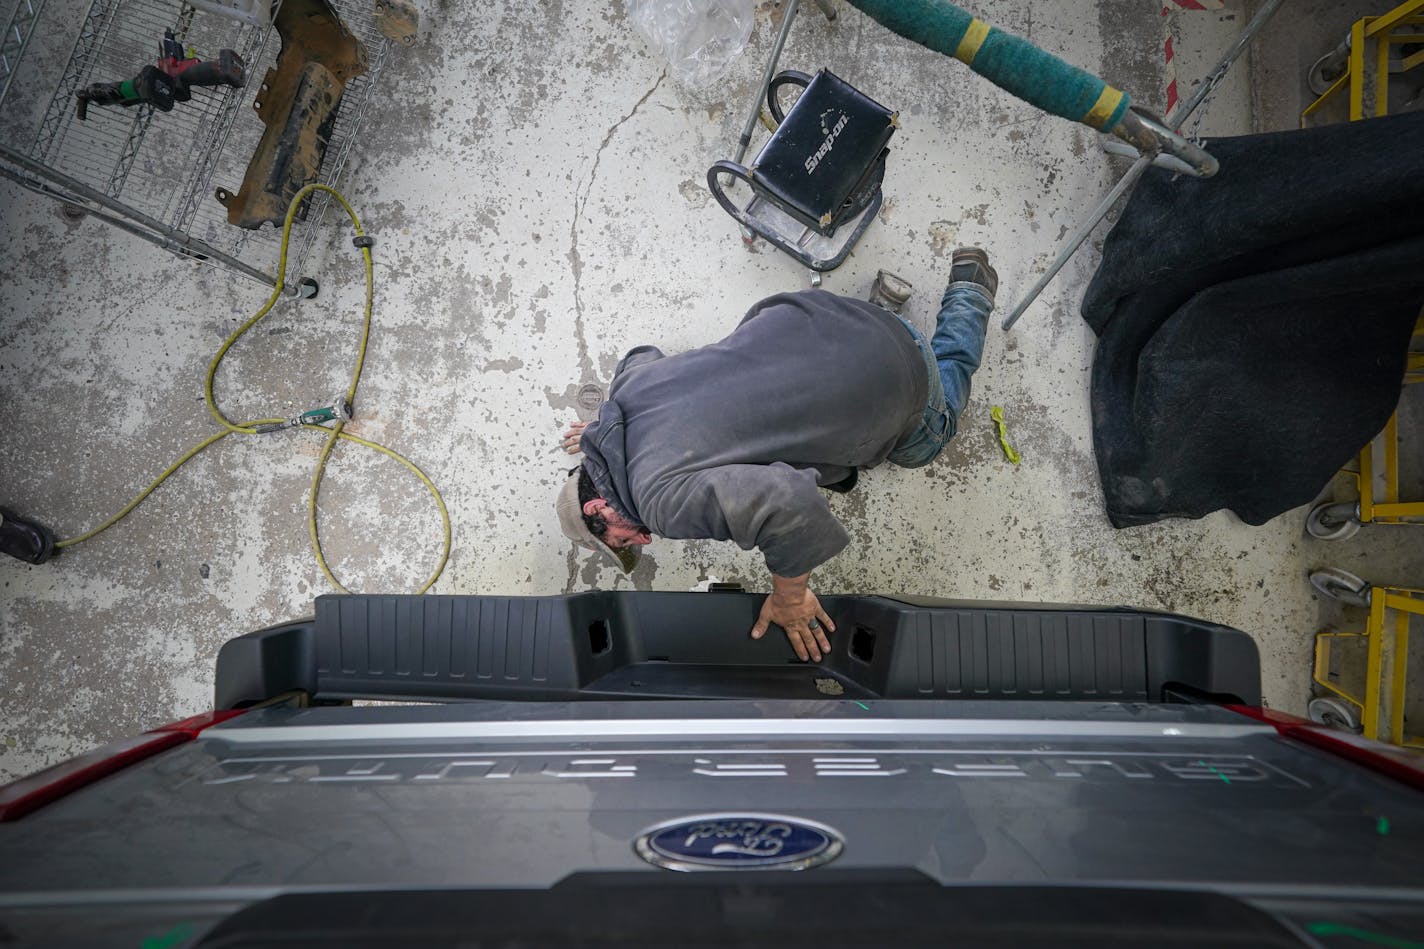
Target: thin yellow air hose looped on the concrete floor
333 435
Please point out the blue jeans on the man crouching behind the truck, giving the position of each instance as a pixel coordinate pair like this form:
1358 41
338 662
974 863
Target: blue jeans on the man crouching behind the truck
951 358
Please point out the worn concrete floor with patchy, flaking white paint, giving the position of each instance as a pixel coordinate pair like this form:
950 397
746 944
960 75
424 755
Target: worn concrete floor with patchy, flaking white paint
536 186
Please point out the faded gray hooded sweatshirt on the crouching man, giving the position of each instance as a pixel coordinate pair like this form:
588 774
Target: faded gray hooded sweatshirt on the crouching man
731 441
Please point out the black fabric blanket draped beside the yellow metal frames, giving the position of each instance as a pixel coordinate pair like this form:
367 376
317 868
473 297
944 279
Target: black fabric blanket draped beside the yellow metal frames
1252 327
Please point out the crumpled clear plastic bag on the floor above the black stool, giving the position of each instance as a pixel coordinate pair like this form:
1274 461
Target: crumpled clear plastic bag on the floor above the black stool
697 38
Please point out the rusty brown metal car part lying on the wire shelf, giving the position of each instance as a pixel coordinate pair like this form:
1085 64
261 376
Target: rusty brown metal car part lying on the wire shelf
298 105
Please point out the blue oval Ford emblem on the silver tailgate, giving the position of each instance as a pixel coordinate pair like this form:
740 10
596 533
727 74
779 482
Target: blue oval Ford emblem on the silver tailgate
738 841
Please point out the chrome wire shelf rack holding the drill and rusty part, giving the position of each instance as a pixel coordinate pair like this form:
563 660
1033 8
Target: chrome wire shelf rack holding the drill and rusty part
149 173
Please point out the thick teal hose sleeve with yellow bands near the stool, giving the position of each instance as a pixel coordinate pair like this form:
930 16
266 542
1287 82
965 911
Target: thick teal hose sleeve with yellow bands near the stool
1012 63
